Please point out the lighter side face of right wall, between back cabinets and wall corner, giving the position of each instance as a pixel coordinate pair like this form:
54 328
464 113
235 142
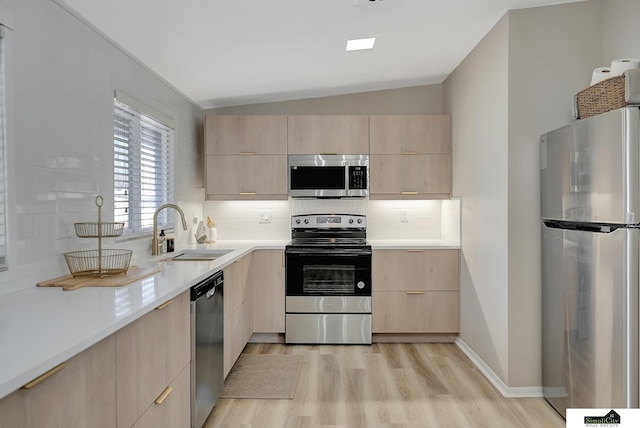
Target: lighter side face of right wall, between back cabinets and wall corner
476 96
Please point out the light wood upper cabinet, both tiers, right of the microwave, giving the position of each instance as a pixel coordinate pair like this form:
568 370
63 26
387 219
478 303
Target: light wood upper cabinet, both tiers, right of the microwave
410 157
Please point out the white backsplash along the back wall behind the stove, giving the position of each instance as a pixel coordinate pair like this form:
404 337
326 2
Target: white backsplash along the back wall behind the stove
424 219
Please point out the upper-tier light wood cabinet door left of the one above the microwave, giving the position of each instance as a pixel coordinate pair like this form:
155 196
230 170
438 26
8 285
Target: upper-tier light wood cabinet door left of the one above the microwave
245 135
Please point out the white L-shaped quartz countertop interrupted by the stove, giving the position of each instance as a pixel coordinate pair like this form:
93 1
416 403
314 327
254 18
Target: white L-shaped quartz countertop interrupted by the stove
41 327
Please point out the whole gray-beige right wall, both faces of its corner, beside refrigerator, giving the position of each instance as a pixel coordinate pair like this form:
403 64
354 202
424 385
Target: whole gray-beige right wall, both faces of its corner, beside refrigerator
551 52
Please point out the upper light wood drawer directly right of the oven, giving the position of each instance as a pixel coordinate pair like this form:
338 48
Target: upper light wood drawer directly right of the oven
407 270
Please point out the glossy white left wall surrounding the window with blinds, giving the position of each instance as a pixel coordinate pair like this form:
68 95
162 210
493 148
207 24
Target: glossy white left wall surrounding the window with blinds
63 76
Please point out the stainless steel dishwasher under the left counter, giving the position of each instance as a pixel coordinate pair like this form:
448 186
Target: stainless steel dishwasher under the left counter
207 331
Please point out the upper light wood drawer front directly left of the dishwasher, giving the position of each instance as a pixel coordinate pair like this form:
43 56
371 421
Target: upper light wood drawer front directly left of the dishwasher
150 352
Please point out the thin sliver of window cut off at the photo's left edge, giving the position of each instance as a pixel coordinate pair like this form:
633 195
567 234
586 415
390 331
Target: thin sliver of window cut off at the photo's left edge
3 166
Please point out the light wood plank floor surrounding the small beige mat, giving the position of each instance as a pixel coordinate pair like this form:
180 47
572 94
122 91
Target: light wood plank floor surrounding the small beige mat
388 386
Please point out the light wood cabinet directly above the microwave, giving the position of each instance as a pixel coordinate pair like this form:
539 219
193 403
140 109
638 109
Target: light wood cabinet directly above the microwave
328 134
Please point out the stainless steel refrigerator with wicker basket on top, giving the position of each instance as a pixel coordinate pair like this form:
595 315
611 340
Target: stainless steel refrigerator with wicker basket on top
590 209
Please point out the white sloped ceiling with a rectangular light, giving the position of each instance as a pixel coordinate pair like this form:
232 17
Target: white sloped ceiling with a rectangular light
234 52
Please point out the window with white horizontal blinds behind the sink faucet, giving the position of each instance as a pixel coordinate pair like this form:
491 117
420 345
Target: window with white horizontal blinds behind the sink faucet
143 149
